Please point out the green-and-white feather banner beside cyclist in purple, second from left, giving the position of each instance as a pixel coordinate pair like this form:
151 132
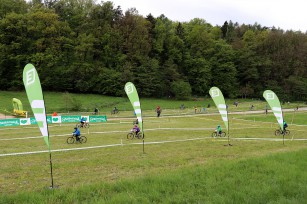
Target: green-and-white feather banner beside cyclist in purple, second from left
135 101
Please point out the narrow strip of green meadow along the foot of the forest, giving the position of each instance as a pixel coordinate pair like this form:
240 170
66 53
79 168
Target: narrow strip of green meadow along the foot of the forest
65 103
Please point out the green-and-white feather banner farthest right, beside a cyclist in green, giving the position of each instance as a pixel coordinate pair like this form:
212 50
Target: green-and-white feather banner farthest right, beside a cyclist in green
274 103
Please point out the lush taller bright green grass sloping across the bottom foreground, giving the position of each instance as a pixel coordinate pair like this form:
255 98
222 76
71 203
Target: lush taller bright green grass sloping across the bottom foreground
278 178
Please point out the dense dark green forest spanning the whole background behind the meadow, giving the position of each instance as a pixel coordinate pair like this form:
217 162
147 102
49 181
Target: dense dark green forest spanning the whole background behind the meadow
82 46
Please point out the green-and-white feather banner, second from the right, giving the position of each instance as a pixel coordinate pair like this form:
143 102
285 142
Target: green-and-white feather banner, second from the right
219 101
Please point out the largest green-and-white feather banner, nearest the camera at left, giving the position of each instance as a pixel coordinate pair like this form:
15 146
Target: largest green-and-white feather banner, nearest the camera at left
35 95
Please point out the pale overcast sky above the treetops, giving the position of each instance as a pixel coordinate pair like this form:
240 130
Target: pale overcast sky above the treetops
283 14
